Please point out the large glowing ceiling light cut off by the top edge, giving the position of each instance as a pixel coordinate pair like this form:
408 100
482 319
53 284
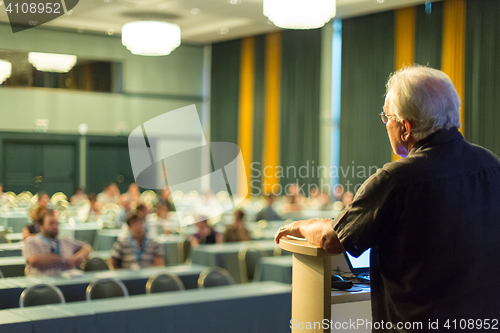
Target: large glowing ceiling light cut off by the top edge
300 14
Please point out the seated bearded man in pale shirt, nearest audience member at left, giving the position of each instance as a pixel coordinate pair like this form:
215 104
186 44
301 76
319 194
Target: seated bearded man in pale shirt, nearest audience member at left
47 254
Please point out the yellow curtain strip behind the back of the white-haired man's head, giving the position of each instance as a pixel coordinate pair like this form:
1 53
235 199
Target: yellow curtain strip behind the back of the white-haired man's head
453 56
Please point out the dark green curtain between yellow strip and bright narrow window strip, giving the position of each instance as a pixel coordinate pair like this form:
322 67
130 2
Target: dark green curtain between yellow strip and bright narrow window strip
300 88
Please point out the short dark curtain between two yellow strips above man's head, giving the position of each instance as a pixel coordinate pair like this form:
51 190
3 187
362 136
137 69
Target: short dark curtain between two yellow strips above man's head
428 34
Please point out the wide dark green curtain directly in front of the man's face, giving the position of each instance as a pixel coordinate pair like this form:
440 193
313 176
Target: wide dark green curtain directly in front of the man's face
367 61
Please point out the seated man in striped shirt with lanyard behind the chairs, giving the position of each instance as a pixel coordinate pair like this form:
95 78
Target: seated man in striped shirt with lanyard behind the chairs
137 250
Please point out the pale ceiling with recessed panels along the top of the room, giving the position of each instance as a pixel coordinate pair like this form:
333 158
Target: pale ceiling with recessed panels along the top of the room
217 20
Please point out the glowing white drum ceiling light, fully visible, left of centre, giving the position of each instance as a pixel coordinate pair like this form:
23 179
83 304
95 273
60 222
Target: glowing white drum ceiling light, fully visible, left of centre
151 38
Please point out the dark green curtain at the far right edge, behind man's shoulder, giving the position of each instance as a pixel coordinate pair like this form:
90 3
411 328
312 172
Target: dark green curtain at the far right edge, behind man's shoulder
482 74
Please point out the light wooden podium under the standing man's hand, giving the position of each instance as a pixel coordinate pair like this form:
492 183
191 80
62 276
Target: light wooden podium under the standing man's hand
311 284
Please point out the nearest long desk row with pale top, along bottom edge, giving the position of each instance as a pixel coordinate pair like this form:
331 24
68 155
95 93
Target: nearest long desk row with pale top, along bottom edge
248 308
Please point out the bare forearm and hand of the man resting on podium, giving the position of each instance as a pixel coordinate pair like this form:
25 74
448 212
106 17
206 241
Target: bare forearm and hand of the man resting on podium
318 232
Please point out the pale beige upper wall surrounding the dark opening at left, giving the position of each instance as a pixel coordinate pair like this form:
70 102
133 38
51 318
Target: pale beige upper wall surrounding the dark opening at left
177 76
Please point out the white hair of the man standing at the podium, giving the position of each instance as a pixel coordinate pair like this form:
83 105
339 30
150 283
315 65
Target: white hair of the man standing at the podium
426 98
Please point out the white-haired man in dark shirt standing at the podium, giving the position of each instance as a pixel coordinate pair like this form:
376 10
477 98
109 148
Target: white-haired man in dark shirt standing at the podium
432 219
